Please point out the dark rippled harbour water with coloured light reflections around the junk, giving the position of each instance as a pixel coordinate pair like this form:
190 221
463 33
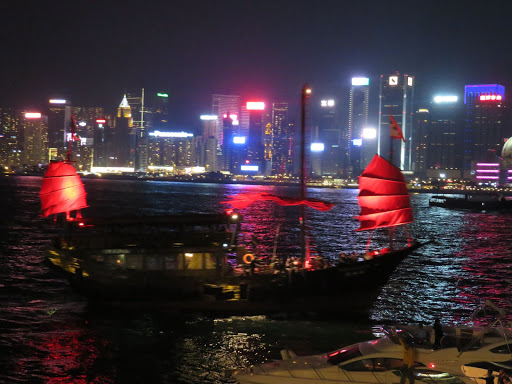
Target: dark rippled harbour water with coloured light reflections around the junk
48 334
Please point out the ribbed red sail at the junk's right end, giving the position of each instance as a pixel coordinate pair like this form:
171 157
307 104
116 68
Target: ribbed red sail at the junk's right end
383 196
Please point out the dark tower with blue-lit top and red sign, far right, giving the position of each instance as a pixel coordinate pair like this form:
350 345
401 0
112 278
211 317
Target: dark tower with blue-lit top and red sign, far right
485 126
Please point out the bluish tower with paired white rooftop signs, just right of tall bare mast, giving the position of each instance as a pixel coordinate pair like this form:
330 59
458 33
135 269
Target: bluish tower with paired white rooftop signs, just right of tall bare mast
329 134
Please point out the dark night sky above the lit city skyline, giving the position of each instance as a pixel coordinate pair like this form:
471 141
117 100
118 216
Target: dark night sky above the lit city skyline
91 51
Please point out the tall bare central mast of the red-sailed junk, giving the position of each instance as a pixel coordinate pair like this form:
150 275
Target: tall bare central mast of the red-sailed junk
305 93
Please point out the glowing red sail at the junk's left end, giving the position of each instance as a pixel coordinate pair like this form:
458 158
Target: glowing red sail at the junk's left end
62 189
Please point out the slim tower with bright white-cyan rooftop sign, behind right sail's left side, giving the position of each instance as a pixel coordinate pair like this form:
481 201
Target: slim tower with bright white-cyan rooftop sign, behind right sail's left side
357 122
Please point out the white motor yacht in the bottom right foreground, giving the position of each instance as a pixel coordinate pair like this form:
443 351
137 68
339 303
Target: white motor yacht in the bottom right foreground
463 356
